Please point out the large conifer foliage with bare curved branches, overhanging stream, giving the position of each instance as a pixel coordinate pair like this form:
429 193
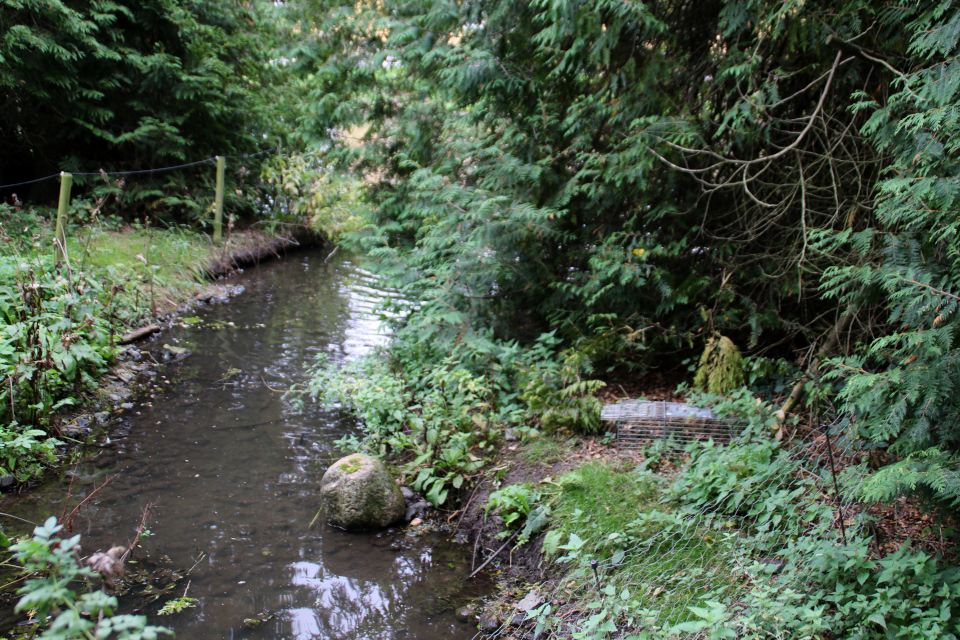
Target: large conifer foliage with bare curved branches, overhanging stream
607 170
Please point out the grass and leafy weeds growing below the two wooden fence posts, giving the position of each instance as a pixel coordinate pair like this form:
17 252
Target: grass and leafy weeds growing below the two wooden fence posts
61 317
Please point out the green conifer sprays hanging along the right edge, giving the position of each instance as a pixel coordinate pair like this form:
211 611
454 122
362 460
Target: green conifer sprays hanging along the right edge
901 391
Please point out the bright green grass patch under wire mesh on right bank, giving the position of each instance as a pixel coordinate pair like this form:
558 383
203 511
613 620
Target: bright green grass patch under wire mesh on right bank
632 561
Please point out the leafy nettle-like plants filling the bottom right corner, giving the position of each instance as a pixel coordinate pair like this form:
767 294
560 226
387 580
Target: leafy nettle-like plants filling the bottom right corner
838 590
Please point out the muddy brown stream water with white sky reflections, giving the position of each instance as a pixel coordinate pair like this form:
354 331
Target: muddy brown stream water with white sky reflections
233 472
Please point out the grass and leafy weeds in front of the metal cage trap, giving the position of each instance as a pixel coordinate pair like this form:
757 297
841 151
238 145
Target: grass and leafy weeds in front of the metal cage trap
741 542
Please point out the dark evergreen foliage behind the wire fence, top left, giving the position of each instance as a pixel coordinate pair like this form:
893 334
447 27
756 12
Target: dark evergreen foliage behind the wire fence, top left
121 85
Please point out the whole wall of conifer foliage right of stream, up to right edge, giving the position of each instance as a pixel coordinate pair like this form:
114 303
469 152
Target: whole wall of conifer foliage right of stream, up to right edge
645 180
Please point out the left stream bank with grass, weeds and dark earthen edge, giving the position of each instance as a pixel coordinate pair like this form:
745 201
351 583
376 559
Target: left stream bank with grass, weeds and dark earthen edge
129 283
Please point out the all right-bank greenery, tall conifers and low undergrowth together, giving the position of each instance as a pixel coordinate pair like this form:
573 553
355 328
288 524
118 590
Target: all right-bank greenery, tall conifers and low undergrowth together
765 188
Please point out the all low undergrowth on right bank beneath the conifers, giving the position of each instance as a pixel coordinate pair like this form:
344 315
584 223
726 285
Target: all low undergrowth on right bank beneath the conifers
714 541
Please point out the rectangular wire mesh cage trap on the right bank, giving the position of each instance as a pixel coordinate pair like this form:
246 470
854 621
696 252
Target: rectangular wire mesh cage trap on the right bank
641 422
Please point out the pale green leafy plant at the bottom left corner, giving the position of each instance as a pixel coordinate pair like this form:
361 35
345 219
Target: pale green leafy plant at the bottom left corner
51 592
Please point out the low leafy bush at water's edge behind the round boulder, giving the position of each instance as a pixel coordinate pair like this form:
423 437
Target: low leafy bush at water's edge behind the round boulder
444 414
